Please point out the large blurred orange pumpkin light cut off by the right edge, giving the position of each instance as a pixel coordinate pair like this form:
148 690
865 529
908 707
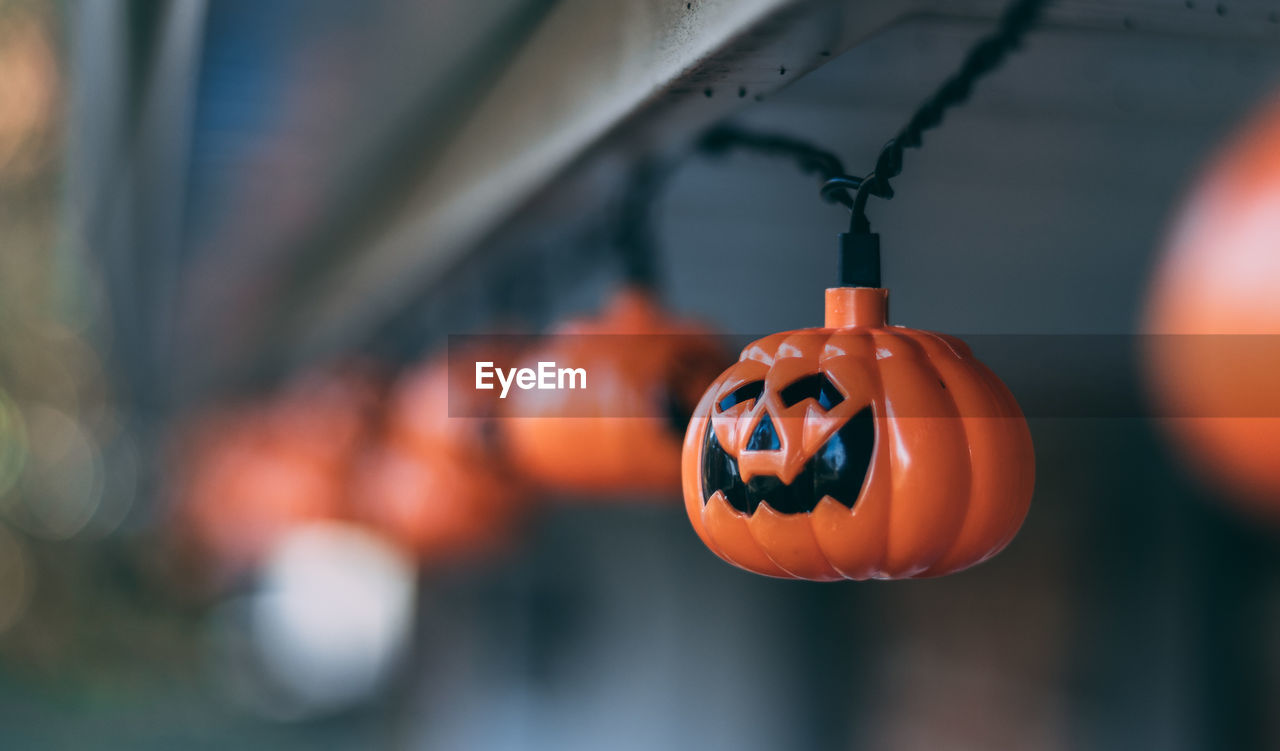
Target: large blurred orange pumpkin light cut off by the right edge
1214 320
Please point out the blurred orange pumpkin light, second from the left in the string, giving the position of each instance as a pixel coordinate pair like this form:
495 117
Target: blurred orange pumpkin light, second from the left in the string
435 482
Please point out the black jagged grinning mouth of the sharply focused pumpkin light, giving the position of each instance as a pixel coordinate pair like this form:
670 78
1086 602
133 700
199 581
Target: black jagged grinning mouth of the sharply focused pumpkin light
839 470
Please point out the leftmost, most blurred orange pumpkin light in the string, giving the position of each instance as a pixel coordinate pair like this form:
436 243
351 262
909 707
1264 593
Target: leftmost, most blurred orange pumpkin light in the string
249 474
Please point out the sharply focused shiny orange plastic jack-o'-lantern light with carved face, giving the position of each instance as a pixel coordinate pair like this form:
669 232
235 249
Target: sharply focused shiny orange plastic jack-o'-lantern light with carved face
860 451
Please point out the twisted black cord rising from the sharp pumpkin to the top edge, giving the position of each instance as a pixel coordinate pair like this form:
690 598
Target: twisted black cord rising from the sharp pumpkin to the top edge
984 58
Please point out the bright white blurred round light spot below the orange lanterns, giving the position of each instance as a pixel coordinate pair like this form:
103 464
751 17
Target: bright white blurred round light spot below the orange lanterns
333 615
